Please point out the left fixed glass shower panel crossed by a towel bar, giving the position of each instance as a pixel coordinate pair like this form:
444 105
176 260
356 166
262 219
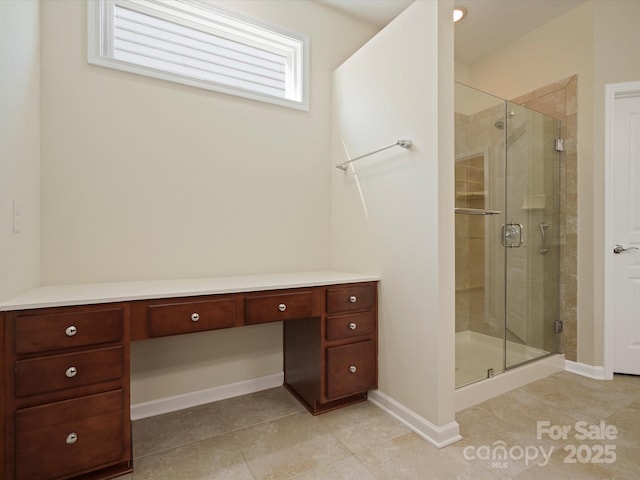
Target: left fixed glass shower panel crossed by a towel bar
480 257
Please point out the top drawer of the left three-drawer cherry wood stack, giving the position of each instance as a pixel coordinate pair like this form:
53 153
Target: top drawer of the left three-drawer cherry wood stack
67 328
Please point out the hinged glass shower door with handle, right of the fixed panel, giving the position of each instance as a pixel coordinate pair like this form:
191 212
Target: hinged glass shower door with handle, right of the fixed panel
531 235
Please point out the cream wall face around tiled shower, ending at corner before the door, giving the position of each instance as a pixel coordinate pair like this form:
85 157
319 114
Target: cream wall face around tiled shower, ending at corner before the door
553 52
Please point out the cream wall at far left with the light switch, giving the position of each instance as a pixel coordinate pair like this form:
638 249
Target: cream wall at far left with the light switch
19 145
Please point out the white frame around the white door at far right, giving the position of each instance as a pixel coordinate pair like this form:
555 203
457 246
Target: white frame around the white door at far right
613 92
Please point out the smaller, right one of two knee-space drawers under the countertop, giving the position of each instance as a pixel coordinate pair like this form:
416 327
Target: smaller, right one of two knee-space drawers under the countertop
279 306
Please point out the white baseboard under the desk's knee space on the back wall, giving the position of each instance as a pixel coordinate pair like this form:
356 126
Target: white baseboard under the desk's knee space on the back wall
201 397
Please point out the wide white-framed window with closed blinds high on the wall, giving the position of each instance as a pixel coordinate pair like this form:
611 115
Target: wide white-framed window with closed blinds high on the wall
193 42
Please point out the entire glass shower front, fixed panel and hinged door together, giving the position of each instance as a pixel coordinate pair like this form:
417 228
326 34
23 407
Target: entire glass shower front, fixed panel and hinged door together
507 235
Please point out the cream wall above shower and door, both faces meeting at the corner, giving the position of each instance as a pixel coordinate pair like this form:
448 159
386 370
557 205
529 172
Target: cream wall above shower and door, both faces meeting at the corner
593 41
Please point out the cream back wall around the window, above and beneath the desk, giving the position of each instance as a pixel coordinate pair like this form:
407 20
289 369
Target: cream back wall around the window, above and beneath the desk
145 179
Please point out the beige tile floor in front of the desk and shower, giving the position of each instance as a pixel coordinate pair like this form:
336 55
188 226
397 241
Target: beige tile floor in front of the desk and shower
269 436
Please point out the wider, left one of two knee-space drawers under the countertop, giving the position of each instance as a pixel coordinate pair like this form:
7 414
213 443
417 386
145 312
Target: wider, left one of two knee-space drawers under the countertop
190 316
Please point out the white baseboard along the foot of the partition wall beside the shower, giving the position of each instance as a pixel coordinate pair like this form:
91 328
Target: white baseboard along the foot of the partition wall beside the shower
438 436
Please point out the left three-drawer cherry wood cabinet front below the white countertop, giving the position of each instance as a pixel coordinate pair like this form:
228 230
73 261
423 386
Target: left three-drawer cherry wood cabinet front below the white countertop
66 393
